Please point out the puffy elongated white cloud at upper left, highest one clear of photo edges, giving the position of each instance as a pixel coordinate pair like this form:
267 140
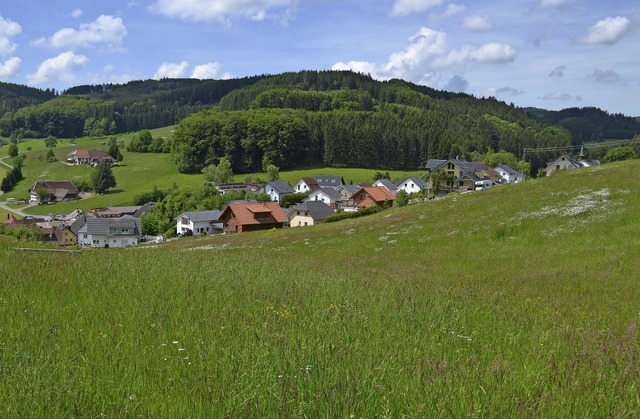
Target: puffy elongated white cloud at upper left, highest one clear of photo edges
105 29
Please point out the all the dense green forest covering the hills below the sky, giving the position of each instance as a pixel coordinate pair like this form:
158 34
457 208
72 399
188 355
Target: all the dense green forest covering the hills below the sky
307 118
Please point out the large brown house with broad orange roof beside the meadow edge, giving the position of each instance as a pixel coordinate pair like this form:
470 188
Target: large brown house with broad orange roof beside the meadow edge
241 216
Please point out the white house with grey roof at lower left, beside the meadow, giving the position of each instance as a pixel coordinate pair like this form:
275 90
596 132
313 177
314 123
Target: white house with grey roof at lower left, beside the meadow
96 231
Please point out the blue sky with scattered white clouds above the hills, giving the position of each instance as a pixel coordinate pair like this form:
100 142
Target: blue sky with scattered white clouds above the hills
551 54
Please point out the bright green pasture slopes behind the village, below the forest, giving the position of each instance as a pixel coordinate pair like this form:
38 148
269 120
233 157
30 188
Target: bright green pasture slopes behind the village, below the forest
139 173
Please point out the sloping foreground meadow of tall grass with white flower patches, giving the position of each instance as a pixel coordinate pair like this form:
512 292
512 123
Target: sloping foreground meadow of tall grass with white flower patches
521 301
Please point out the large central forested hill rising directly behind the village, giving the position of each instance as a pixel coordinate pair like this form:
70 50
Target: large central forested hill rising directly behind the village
349 119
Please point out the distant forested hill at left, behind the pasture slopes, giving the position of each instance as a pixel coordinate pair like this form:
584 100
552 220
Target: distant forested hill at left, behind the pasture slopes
113 108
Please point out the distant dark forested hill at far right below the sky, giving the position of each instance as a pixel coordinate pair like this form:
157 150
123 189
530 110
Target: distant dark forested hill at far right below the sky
590 124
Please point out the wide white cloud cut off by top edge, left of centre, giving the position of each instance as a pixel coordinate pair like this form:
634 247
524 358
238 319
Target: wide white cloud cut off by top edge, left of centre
223 10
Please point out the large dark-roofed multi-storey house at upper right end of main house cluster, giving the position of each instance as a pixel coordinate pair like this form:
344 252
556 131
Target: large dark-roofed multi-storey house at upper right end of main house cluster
459 175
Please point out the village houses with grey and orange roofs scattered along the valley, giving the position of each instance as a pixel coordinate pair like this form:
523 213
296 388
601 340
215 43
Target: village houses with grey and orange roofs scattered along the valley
324 196
